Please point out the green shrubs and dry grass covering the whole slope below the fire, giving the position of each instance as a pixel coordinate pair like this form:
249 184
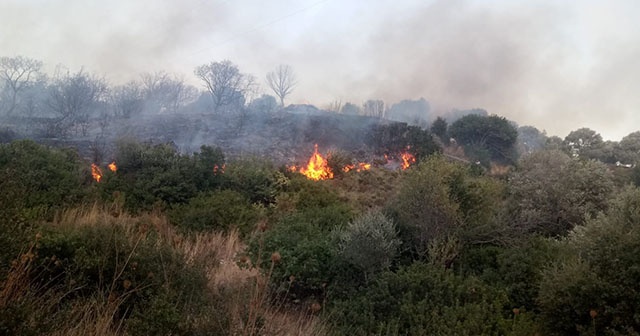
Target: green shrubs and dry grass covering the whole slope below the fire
194 244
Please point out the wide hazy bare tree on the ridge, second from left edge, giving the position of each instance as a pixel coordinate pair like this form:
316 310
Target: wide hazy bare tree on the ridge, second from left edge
73 98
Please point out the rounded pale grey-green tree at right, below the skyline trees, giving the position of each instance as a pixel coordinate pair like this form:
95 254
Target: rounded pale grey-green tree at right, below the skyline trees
551 193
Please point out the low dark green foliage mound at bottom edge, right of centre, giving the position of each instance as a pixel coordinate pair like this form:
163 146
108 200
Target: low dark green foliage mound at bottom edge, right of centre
422 299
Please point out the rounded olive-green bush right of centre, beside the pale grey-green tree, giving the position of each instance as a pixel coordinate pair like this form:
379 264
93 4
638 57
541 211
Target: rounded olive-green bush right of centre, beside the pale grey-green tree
441 207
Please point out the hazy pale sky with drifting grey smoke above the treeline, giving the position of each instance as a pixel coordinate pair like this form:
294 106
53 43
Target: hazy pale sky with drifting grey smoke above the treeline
554 64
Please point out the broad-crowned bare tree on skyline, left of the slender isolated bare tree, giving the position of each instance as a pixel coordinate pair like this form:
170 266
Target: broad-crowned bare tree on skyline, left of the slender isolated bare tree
225 83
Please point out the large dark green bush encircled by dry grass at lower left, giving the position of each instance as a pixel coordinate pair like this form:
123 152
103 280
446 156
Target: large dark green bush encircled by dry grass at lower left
129 266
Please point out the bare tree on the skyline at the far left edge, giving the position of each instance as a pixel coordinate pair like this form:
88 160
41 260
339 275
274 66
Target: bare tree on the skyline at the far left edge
17 73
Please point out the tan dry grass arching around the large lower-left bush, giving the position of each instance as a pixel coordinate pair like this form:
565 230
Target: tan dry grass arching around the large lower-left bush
243 290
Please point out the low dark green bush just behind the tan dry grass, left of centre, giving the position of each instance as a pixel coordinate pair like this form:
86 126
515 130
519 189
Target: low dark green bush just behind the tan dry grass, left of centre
219 210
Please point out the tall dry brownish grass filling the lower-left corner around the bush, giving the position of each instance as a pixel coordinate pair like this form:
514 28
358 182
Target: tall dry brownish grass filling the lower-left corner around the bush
241 303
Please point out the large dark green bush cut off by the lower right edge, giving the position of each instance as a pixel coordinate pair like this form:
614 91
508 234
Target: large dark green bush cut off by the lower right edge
594 282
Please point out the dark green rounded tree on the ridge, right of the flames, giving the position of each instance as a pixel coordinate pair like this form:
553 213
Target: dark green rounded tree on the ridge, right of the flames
486 138
